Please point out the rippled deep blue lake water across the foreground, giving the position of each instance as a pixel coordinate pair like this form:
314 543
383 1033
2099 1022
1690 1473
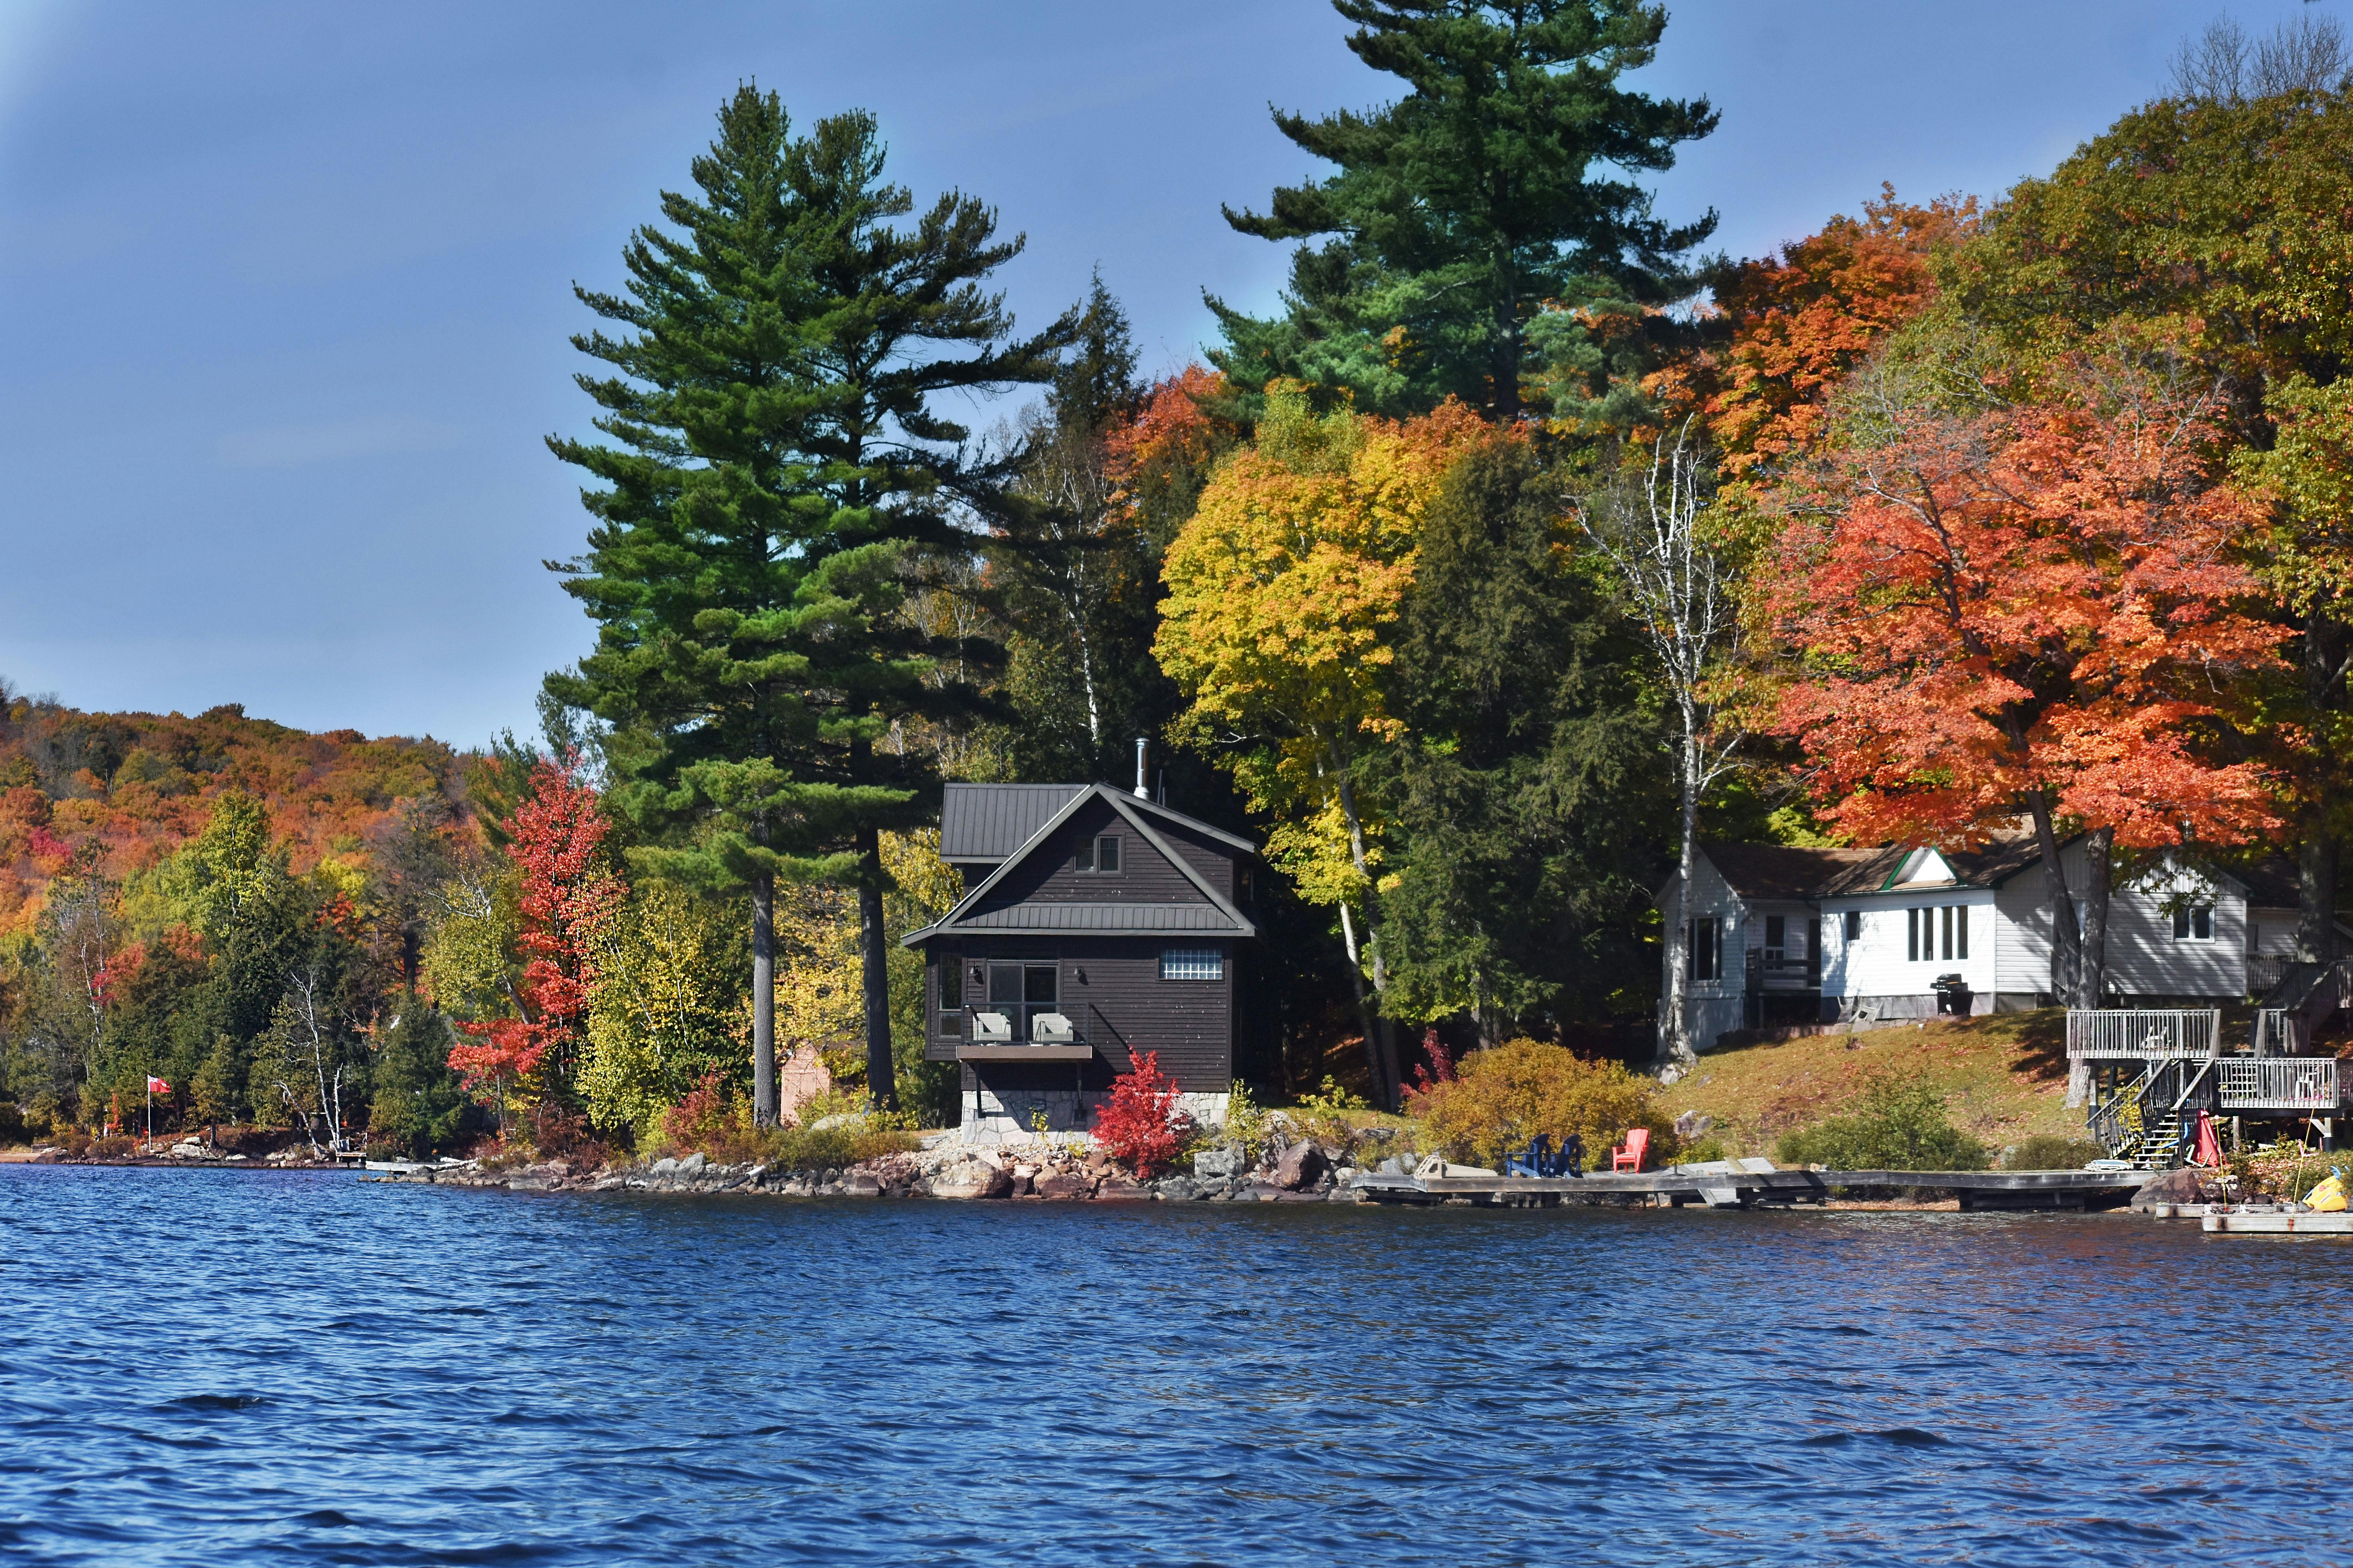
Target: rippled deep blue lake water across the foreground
305 1369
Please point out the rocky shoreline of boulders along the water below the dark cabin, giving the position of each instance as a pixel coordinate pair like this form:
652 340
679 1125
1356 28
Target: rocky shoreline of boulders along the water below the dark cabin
1302 1174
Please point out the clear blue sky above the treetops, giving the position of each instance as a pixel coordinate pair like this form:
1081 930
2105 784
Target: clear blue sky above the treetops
286 288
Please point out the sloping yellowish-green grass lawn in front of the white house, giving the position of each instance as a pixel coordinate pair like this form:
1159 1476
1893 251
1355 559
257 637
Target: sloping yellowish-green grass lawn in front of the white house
2004 1080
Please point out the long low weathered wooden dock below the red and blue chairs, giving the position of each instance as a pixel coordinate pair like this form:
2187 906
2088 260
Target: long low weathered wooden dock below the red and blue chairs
1752 1184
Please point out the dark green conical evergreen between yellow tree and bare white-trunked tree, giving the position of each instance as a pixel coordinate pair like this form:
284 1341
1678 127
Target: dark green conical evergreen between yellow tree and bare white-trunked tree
1531 793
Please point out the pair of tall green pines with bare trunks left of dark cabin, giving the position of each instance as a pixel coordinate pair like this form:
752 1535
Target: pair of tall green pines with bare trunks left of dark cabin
775 476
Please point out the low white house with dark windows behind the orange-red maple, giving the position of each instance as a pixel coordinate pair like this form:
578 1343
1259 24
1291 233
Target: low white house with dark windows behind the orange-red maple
1792 937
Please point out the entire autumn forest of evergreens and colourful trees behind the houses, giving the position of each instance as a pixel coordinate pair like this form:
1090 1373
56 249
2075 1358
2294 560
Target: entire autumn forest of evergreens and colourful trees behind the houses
1521 547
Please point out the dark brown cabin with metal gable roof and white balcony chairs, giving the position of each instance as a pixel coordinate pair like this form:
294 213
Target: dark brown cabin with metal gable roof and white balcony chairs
1095 927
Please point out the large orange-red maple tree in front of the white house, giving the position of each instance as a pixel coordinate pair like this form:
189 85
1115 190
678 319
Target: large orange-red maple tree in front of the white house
2032 612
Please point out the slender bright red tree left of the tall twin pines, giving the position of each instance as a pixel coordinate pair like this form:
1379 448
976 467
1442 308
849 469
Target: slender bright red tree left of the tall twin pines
568 894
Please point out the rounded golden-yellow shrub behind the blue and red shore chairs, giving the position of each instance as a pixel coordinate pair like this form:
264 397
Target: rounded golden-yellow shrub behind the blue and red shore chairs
1507 1094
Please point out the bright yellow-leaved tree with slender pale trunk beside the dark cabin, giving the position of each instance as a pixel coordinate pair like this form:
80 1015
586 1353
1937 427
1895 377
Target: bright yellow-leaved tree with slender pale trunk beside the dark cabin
1284 596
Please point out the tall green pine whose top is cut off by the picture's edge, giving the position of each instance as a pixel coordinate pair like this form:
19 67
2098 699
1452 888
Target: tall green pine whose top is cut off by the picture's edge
1472 206
